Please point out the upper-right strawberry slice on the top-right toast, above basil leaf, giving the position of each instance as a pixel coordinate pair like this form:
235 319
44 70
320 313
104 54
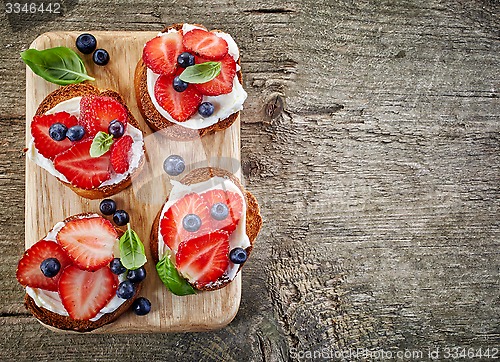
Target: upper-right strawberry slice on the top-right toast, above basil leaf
205 44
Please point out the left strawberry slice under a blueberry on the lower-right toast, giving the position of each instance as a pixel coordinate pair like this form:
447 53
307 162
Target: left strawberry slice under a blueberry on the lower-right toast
171 228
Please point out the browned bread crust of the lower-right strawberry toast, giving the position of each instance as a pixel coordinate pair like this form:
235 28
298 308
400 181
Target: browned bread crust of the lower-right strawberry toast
253 216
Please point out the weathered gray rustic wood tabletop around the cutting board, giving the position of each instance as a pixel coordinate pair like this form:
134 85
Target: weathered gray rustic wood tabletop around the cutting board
371 139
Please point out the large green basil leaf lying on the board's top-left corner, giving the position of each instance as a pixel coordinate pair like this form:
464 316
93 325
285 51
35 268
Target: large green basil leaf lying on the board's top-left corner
58 65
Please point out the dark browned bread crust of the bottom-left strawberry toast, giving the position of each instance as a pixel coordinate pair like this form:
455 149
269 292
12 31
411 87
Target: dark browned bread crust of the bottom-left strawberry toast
66 323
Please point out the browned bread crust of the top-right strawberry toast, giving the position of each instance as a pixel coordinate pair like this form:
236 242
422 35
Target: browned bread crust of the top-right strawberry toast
157 122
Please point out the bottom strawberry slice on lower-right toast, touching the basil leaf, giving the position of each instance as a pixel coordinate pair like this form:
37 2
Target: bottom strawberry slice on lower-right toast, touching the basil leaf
204 259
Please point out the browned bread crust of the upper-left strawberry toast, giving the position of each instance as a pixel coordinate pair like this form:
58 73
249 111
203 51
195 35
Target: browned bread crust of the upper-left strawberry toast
80 90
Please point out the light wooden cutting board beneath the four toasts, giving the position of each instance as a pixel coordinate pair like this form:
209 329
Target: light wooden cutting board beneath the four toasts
49 201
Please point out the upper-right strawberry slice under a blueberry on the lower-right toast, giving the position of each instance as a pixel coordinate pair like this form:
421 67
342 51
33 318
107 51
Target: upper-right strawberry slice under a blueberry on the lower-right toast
234 203
